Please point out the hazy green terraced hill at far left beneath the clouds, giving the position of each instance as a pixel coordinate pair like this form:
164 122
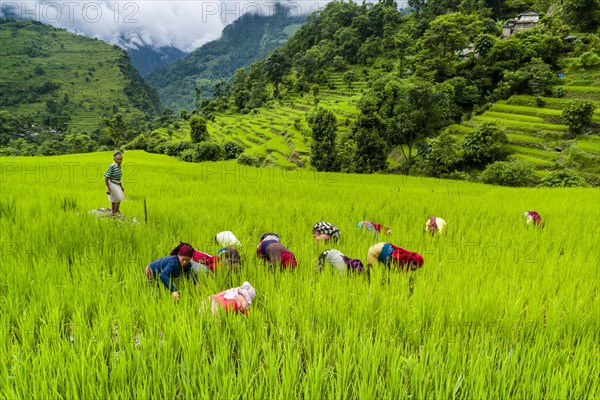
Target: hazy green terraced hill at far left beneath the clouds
53 81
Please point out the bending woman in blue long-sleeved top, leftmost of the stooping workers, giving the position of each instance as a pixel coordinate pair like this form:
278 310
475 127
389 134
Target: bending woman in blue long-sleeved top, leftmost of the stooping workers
174 265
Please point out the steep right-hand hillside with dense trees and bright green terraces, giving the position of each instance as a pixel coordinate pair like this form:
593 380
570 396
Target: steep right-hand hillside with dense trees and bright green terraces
366 88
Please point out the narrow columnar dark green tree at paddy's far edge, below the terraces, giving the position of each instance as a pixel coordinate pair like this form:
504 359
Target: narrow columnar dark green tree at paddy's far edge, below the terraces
324 132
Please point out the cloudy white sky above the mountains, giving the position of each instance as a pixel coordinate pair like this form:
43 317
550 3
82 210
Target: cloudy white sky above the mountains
186 25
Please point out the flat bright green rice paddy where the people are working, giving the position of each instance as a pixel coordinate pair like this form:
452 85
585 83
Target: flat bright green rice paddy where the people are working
498 311
